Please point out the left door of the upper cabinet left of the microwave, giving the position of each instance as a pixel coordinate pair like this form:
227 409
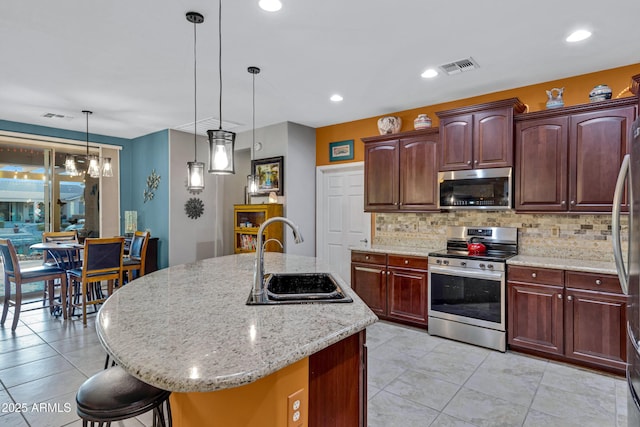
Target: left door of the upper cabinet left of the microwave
381 176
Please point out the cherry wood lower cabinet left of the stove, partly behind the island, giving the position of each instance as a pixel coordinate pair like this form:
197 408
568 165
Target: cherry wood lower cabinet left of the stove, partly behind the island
393 286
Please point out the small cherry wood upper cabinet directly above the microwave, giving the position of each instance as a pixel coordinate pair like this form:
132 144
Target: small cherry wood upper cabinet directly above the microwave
478 136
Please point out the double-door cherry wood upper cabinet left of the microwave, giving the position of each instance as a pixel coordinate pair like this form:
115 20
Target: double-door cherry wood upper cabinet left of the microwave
400 171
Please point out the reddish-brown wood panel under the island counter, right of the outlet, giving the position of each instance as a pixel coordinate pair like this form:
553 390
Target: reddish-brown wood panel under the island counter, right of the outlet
338 384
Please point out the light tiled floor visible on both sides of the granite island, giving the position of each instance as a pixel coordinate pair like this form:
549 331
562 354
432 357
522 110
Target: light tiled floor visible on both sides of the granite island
414 380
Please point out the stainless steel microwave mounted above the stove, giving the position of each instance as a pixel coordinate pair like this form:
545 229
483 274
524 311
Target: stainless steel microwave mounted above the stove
488 189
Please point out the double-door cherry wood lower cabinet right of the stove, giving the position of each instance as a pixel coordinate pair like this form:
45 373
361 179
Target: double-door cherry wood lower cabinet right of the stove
566 315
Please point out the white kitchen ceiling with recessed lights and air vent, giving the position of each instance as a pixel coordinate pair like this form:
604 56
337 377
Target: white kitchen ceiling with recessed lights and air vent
131 62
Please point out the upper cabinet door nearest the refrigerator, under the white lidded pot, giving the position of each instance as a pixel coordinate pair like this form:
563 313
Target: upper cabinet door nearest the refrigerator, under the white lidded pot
598 142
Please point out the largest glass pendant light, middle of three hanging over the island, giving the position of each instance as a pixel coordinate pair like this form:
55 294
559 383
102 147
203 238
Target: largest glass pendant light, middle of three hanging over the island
221 142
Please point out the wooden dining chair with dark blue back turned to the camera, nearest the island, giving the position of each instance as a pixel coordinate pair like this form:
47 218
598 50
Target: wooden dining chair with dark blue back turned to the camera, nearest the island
102 261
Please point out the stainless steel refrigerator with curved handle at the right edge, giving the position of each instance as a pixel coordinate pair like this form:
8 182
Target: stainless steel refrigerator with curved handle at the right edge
629 268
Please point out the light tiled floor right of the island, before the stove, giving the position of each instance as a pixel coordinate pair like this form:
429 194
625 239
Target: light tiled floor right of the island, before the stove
419 380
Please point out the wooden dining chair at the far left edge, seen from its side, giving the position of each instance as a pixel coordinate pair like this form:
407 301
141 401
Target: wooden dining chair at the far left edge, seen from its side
19 276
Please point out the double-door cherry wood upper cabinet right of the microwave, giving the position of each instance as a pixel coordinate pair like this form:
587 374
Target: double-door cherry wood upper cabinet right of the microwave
567 159
